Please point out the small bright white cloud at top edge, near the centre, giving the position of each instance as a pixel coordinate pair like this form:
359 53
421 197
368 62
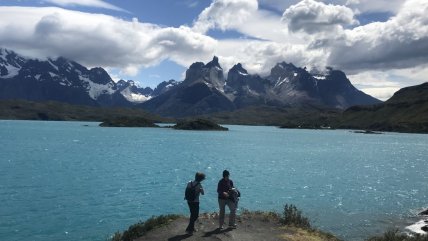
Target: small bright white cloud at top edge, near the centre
225 14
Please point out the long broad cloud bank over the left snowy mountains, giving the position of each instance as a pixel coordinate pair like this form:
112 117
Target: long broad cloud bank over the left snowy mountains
99 40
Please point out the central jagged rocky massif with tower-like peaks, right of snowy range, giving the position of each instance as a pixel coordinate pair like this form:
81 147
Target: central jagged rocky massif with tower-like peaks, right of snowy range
206 90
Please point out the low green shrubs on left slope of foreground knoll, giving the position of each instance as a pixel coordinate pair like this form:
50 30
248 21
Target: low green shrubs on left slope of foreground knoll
141 228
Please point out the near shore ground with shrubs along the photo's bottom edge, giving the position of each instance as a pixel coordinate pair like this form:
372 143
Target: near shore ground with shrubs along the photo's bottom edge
289 225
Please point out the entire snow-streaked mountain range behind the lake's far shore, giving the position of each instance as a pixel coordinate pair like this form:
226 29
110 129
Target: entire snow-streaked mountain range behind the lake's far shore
204 90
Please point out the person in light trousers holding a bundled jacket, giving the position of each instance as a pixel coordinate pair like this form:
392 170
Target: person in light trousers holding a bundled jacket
223 188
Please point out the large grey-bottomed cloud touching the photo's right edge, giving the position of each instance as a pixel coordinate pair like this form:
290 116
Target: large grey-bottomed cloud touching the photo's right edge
401 42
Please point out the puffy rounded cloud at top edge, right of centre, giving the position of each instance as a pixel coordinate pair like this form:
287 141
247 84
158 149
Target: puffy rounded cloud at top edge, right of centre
311 16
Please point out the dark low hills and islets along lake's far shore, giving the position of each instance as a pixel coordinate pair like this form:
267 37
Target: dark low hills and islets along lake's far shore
290 118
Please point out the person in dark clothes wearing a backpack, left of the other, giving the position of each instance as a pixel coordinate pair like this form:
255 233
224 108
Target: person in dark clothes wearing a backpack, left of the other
193 190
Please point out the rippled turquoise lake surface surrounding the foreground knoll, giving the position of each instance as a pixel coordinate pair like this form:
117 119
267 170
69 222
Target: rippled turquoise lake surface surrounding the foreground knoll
77 181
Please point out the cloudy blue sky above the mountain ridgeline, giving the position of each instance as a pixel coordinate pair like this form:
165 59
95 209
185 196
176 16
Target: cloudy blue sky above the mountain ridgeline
382 45
